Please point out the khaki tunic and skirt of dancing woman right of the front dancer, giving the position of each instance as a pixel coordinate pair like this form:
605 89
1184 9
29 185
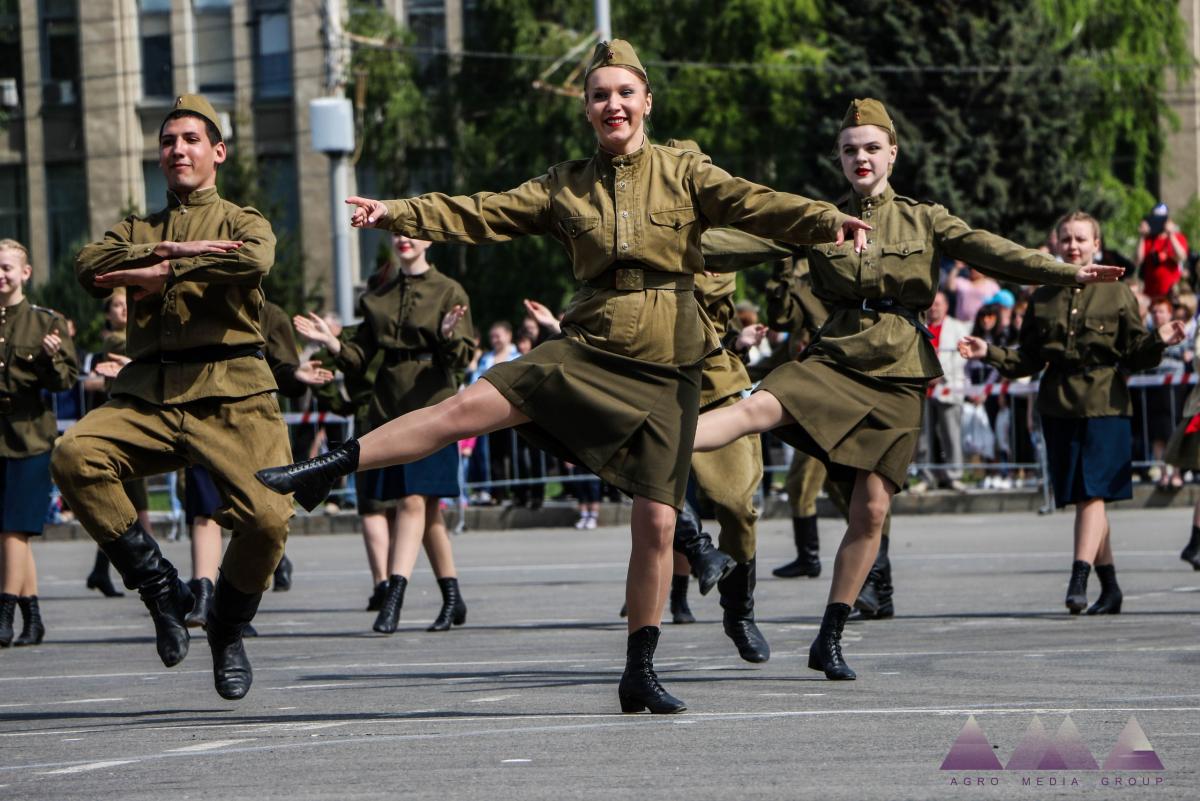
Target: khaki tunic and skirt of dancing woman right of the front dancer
857 395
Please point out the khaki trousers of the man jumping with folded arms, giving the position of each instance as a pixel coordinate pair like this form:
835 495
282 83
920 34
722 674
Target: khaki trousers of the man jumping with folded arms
232 438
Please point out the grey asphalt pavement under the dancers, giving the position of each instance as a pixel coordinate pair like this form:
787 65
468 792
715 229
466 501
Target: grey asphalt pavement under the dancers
521 703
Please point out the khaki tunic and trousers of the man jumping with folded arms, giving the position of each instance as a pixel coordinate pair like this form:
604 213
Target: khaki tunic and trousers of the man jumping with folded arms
199 390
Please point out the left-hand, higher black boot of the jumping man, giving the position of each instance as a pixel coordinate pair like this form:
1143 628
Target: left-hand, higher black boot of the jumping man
136 557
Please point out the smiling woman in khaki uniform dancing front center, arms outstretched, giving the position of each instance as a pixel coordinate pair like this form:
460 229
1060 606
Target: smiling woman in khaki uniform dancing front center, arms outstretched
620 390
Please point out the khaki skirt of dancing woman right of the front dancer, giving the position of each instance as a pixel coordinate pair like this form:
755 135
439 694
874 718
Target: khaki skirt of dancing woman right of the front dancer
849 420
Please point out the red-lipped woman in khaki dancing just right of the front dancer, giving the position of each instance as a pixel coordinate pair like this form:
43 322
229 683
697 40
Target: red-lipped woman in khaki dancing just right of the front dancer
855 400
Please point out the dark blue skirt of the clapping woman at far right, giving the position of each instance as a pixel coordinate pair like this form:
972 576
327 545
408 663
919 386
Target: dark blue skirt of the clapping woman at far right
1090 459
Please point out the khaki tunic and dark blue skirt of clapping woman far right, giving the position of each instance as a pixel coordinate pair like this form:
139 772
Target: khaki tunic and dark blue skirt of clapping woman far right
1087 339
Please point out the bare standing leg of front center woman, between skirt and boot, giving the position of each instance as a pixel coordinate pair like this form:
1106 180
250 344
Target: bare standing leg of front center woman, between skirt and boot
649 581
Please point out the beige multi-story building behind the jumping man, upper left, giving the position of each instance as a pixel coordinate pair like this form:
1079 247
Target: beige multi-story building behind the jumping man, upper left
85 86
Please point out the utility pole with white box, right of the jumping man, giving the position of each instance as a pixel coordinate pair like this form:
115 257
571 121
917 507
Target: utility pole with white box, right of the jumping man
333 134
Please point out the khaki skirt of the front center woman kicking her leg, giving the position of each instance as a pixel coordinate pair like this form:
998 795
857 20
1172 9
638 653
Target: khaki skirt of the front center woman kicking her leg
629 421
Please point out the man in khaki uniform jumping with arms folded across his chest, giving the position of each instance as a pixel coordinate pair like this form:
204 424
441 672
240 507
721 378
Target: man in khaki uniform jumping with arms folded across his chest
199 392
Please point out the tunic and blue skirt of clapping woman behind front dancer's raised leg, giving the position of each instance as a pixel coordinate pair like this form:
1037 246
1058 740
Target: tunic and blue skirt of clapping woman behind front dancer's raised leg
403 322
